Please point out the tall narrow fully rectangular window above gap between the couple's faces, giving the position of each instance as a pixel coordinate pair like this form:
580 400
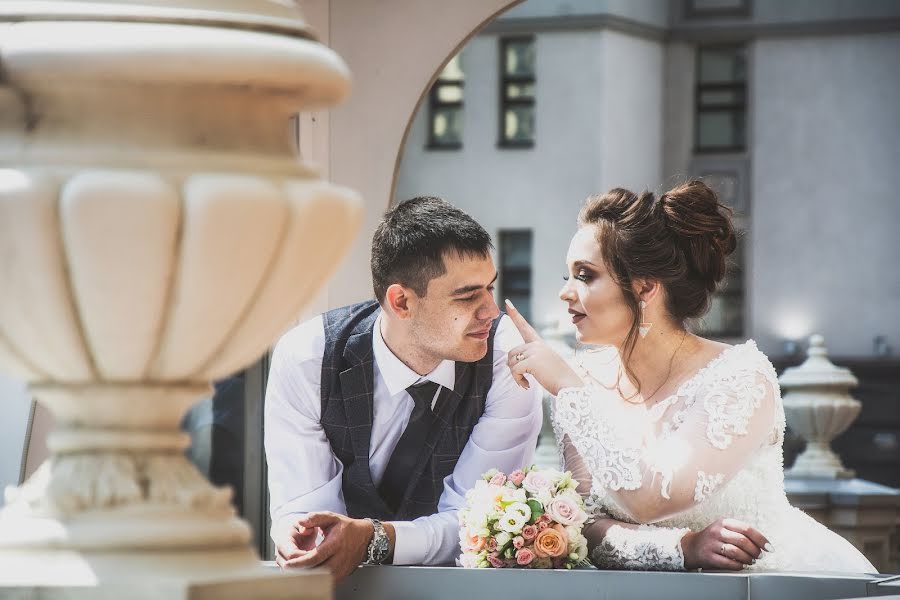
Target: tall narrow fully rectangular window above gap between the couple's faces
517 92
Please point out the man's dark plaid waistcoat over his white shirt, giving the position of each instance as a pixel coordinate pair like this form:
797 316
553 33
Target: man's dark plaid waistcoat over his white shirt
348 384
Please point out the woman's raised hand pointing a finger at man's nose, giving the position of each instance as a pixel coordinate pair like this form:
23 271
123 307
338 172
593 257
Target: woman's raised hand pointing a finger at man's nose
538 359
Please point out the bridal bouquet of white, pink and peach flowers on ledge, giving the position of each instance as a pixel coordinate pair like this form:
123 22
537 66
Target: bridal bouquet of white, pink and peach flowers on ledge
530 518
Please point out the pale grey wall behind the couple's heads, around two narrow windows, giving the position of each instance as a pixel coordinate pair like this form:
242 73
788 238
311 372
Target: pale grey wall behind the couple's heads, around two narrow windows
599 123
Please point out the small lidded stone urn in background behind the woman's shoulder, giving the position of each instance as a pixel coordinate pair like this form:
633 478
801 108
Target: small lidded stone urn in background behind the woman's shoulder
818 407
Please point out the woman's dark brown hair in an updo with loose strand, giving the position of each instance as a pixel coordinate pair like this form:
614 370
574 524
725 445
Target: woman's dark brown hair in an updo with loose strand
680 239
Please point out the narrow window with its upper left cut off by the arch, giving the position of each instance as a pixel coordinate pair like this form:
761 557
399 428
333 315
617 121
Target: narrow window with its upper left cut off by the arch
445 105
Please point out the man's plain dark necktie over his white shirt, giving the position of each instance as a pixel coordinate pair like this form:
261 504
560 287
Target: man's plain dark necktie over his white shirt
409 448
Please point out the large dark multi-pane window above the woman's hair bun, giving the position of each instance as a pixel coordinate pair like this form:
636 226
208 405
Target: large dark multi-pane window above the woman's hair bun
720 124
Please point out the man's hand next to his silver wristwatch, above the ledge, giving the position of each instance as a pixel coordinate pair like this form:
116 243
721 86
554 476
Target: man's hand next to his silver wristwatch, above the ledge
343 548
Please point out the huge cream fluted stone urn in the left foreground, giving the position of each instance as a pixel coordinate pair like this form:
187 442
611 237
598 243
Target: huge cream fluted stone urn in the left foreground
157 231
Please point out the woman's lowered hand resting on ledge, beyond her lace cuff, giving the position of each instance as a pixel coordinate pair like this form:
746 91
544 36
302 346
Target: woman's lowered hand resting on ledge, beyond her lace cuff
726 544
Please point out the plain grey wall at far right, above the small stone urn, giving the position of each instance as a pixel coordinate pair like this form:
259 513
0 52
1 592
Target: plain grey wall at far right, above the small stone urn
826 174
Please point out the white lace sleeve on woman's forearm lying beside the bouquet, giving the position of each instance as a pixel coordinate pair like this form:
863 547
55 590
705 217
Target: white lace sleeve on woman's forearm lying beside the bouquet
640 548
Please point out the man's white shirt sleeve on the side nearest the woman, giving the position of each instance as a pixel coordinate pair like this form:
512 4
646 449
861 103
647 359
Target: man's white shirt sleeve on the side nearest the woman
504 438
